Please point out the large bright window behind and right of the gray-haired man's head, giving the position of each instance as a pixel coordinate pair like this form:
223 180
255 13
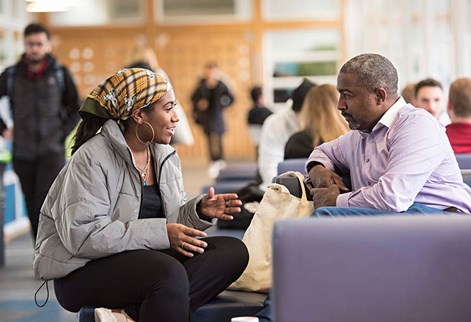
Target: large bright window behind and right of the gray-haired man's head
424 38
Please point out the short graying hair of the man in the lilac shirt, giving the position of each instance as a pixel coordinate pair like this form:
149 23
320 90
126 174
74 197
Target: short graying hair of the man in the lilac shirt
373 71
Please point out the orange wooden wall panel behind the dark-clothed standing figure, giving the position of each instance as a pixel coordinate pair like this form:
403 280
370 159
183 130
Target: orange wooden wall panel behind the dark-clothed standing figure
183 57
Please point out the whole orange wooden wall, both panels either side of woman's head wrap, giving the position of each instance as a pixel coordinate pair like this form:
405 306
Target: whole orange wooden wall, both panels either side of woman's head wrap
93 56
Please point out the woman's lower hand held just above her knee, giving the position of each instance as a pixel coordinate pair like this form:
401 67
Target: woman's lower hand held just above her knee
182 239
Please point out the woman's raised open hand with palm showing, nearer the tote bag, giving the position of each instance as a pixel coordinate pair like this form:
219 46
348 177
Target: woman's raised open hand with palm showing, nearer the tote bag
220 206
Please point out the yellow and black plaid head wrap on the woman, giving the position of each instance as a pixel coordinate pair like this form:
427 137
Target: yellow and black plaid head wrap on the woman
121 94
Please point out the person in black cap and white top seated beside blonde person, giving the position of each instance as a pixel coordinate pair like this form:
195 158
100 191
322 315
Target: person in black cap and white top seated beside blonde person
276 131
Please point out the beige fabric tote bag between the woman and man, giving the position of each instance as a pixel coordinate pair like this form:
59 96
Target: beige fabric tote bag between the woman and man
277 203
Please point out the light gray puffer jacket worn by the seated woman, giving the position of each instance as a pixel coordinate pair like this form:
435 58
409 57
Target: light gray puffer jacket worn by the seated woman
92 208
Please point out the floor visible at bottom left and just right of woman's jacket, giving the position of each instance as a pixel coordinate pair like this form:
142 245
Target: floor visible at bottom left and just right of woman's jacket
18 285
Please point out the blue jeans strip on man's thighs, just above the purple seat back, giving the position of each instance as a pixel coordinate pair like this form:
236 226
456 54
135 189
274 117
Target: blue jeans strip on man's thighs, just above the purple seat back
415 209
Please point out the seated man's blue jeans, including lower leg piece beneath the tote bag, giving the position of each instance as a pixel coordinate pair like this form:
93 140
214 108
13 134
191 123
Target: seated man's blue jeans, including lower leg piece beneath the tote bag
266 314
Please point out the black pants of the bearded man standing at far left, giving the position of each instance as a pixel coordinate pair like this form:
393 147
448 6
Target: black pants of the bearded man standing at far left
36 177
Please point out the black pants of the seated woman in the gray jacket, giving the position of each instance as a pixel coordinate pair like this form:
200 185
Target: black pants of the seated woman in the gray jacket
162 286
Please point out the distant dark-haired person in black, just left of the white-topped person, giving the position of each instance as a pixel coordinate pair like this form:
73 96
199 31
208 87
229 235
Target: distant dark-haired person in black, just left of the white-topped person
257 114
